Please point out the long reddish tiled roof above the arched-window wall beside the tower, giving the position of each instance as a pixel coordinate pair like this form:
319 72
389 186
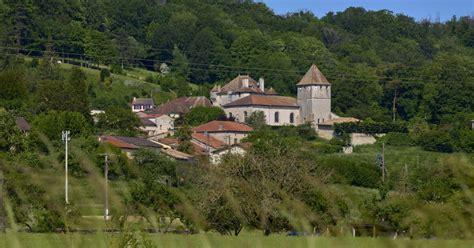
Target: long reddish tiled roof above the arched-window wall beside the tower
264 100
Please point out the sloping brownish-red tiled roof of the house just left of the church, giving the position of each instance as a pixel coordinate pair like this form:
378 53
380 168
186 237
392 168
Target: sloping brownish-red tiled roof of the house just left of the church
181 105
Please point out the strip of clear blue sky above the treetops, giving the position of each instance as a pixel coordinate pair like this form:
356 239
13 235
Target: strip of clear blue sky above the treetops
420 9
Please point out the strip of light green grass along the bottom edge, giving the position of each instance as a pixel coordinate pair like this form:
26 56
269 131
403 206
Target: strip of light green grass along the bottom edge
214 240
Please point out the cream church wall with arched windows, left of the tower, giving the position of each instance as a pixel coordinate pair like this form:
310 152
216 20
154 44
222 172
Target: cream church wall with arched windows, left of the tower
284 114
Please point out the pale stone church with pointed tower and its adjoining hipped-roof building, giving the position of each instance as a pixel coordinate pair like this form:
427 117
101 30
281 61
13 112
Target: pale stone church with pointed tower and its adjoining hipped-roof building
243 95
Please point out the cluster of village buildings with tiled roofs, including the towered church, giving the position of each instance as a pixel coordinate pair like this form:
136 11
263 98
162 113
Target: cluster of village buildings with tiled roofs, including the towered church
239 98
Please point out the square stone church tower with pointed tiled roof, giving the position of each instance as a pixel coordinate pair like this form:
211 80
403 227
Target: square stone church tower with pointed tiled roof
314 97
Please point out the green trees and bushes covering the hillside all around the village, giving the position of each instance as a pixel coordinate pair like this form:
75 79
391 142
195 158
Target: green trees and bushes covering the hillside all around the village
413 80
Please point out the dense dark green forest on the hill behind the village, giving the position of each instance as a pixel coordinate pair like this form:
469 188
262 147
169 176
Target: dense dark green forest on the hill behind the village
382 65
